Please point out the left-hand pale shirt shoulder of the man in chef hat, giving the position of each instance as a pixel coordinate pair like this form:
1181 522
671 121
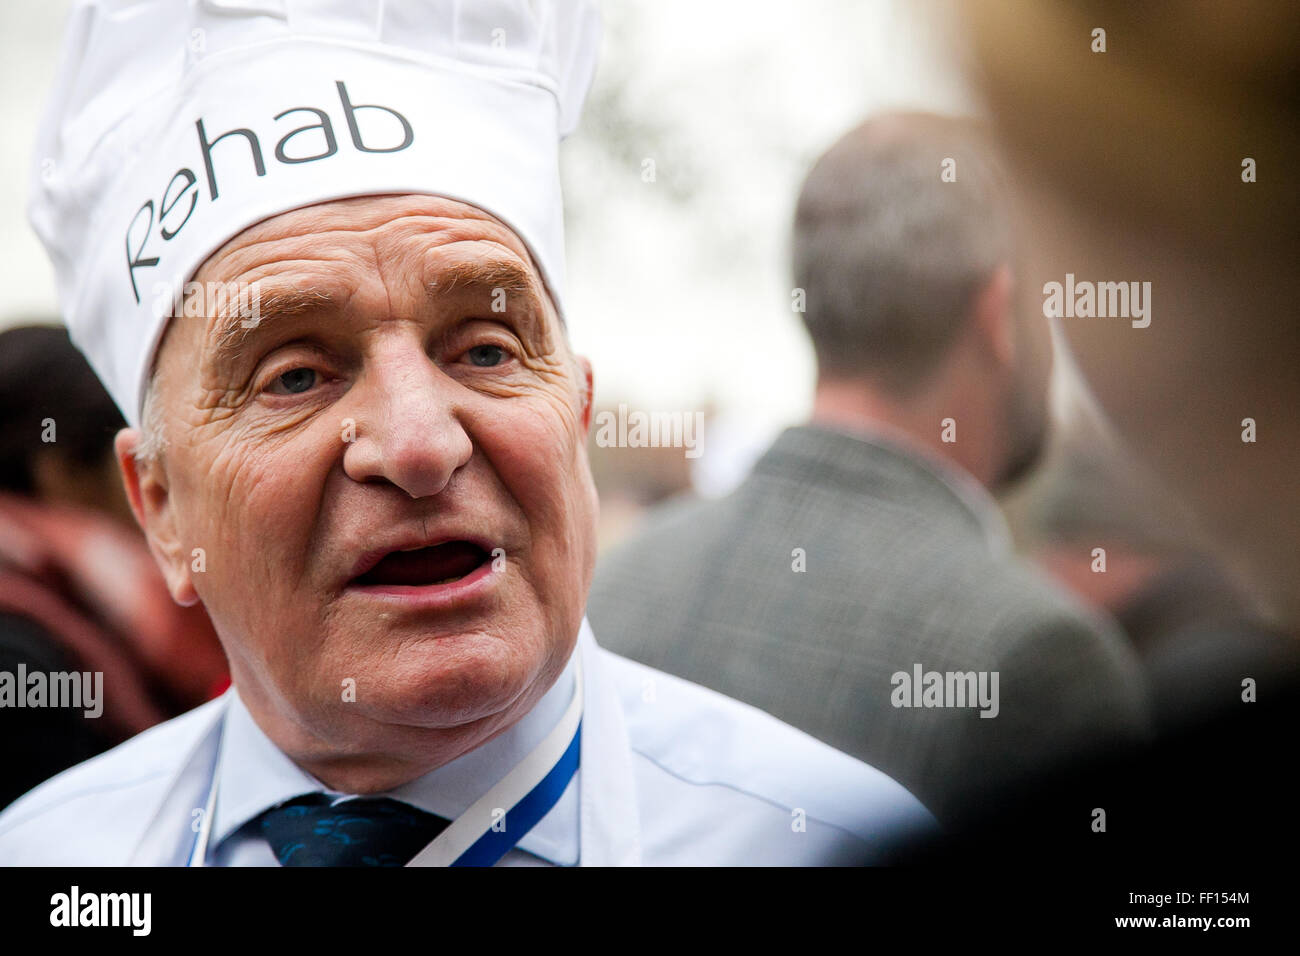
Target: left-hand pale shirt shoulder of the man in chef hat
107 799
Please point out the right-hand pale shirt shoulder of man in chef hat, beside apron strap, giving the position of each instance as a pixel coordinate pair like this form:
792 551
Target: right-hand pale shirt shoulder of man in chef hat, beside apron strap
707 739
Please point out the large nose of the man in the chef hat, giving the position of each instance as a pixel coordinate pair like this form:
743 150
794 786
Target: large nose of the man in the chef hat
409 427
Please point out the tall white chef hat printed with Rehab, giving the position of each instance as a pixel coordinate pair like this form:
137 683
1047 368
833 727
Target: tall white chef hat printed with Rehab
177 124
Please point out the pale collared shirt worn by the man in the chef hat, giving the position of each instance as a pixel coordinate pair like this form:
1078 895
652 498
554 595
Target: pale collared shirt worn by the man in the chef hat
671 775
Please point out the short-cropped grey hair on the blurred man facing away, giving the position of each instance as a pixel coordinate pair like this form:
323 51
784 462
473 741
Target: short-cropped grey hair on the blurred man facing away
891 258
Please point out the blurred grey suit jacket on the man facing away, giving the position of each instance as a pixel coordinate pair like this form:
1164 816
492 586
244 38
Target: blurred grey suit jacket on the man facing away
900 572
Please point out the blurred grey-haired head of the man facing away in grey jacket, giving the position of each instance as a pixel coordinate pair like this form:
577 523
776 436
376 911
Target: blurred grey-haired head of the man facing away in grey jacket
904 250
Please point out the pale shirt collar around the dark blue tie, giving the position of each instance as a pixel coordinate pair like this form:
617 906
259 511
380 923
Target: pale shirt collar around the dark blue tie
254 776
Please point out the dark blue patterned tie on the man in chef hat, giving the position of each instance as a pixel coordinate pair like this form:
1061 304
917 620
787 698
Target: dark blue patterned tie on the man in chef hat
366 832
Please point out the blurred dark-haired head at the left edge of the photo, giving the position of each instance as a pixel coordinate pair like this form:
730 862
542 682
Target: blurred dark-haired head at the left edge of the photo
57 444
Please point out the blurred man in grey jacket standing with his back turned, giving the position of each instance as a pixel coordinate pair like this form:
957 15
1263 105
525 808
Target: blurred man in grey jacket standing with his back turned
860 583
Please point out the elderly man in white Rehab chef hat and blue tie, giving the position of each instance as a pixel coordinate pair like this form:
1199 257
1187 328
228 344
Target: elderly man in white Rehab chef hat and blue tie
369 464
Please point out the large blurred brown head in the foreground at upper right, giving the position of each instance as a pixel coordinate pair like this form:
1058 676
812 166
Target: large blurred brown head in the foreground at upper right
1168 159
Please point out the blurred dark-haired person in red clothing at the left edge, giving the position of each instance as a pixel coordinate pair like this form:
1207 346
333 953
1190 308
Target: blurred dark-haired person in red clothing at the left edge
79 587
